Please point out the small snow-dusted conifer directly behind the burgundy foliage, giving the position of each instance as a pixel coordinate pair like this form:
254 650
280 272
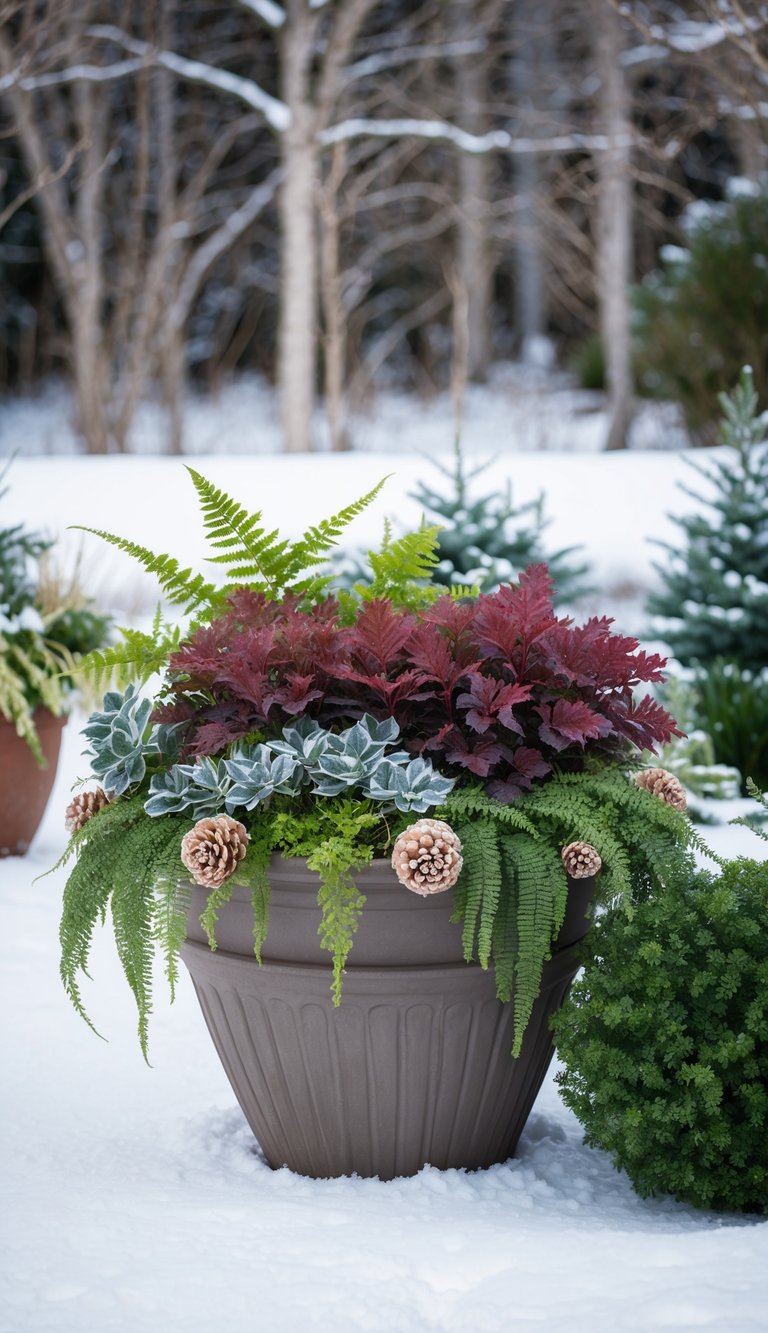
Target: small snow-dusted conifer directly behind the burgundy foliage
489 541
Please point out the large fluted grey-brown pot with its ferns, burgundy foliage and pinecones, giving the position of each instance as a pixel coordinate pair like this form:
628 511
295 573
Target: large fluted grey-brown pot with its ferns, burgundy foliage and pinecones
311 758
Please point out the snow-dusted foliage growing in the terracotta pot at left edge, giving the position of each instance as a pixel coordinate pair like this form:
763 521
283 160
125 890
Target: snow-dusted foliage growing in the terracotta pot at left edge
46 625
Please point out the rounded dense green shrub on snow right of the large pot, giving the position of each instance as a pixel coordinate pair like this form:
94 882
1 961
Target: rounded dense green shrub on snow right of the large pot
666 1039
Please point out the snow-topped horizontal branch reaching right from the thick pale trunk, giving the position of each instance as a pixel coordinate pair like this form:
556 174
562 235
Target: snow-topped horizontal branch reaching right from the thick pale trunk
467 143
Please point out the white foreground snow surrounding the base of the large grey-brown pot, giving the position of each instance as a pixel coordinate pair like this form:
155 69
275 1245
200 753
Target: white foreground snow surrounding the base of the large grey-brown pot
137 1200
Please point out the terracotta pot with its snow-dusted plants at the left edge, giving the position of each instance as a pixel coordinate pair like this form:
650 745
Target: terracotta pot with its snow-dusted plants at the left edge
46 625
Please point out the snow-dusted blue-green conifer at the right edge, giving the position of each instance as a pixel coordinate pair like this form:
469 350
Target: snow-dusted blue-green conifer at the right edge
715 597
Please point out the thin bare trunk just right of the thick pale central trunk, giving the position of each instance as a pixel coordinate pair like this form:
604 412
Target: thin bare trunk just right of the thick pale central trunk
334 317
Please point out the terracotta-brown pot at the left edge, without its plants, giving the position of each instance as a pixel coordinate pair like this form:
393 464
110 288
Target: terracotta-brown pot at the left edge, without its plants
26 787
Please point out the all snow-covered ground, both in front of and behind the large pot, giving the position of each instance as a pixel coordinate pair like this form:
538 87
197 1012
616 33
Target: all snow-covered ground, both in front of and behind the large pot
135 1200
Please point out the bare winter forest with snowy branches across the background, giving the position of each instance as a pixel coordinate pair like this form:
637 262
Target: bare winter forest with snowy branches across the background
355 197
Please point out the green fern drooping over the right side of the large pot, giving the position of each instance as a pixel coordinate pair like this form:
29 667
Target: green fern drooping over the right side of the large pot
513 892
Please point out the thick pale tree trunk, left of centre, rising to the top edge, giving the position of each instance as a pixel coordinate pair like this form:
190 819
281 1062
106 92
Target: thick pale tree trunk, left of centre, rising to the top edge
299 239
